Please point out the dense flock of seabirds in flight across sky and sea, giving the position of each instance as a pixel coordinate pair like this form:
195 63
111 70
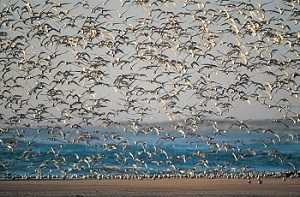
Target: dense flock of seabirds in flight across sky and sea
75 66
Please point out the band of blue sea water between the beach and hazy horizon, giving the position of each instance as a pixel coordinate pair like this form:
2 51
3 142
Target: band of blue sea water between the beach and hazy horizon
38 152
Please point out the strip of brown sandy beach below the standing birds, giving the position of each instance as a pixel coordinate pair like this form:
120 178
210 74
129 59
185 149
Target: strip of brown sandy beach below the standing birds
165 187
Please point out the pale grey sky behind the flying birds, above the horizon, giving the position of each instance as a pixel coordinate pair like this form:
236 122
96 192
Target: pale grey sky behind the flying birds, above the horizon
198 60
